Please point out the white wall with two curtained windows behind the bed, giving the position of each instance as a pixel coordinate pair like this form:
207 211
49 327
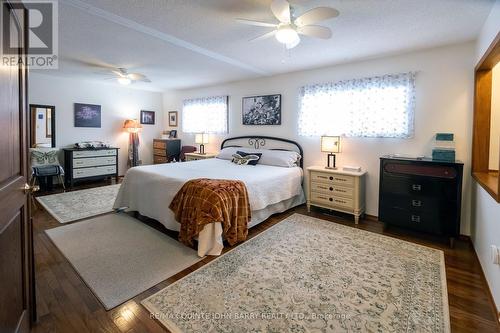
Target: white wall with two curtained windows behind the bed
443 103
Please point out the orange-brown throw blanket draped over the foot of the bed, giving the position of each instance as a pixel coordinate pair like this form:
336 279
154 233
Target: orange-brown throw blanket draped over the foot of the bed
203 201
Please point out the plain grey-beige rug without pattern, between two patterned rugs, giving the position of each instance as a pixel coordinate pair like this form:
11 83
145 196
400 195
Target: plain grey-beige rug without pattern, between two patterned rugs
119 257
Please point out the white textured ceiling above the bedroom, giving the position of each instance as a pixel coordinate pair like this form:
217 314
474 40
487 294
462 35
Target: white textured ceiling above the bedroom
187 43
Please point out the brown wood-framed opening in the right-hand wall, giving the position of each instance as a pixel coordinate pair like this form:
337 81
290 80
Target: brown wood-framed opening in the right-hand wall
486 135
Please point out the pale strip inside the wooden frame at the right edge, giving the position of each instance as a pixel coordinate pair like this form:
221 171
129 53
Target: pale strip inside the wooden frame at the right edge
495 119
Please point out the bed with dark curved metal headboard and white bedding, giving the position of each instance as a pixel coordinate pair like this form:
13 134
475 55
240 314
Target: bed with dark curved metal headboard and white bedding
272 189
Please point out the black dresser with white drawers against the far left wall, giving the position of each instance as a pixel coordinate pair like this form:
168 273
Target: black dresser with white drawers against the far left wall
90 164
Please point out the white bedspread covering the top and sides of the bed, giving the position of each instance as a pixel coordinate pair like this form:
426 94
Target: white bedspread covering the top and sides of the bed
150 189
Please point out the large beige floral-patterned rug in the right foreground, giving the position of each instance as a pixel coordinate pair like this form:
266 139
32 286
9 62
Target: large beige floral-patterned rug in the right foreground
311 275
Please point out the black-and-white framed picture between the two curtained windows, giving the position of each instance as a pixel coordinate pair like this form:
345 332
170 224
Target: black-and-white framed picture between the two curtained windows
262 110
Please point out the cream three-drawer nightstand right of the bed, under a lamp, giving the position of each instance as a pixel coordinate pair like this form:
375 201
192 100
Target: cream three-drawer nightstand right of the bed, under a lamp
338 190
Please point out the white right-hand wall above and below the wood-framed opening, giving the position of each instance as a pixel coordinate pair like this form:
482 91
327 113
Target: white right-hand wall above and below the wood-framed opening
485 228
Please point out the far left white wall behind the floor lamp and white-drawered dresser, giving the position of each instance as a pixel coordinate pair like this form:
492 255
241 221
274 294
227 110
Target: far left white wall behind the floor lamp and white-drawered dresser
117 105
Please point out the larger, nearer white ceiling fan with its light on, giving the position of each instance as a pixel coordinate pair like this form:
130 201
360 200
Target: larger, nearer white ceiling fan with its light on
289 28
